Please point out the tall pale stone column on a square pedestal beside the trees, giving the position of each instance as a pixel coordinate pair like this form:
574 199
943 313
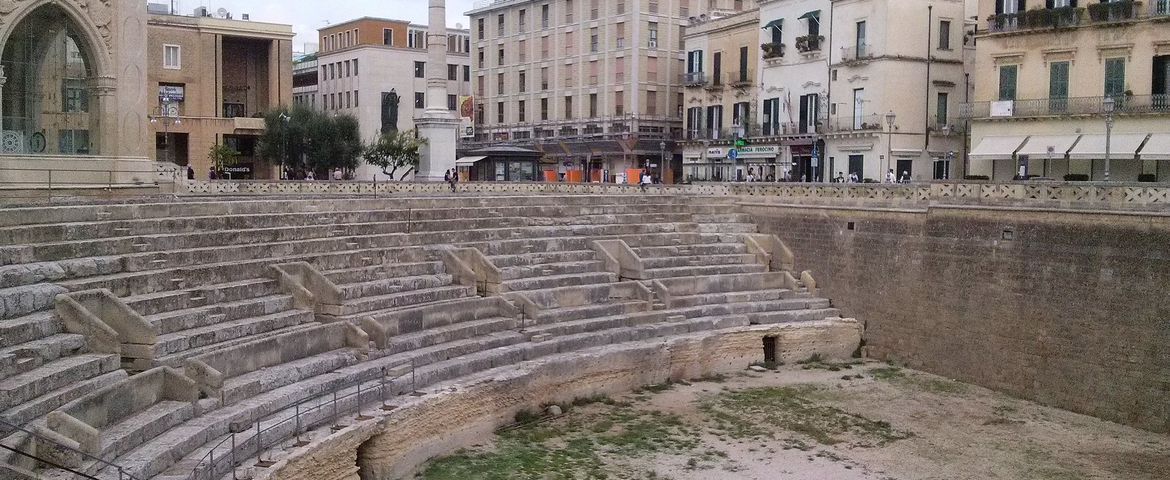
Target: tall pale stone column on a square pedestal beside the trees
437 125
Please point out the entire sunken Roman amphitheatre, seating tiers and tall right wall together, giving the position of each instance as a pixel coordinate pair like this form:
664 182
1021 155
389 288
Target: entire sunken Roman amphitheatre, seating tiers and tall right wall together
343 332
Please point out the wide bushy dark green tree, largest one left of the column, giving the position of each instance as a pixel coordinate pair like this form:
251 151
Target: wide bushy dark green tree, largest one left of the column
302 139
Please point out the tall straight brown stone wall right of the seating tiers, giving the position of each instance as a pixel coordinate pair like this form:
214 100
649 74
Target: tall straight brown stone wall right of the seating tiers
1064 308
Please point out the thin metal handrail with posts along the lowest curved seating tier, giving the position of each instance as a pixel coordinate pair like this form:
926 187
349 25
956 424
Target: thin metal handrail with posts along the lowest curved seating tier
209 465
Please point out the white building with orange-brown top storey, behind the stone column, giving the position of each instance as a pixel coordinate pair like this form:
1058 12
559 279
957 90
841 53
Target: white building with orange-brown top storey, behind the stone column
376 71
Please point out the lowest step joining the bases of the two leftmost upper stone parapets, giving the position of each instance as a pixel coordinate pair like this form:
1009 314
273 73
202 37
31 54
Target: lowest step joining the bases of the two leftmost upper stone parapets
216 335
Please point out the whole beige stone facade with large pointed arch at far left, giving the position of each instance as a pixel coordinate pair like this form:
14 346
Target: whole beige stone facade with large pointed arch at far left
73 101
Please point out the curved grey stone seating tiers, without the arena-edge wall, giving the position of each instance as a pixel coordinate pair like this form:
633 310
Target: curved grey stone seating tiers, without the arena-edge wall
257 341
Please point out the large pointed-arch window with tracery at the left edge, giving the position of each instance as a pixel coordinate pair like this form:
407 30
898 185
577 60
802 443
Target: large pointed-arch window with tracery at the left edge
49 105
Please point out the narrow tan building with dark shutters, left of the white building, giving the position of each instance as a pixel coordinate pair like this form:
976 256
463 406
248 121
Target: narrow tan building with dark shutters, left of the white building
721 99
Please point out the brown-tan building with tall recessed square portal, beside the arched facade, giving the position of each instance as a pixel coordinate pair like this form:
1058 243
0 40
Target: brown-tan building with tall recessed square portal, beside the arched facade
214 78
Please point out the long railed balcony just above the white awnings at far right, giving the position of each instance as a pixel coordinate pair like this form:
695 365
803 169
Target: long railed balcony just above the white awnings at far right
1125 105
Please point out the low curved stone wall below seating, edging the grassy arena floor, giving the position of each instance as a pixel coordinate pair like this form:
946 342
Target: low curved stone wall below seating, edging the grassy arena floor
462 414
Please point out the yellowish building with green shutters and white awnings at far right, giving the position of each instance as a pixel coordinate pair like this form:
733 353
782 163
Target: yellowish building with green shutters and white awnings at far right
1073 91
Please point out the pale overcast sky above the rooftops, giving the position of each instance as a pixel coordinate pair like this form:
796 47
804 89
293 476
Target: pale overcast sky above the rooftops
308 16
